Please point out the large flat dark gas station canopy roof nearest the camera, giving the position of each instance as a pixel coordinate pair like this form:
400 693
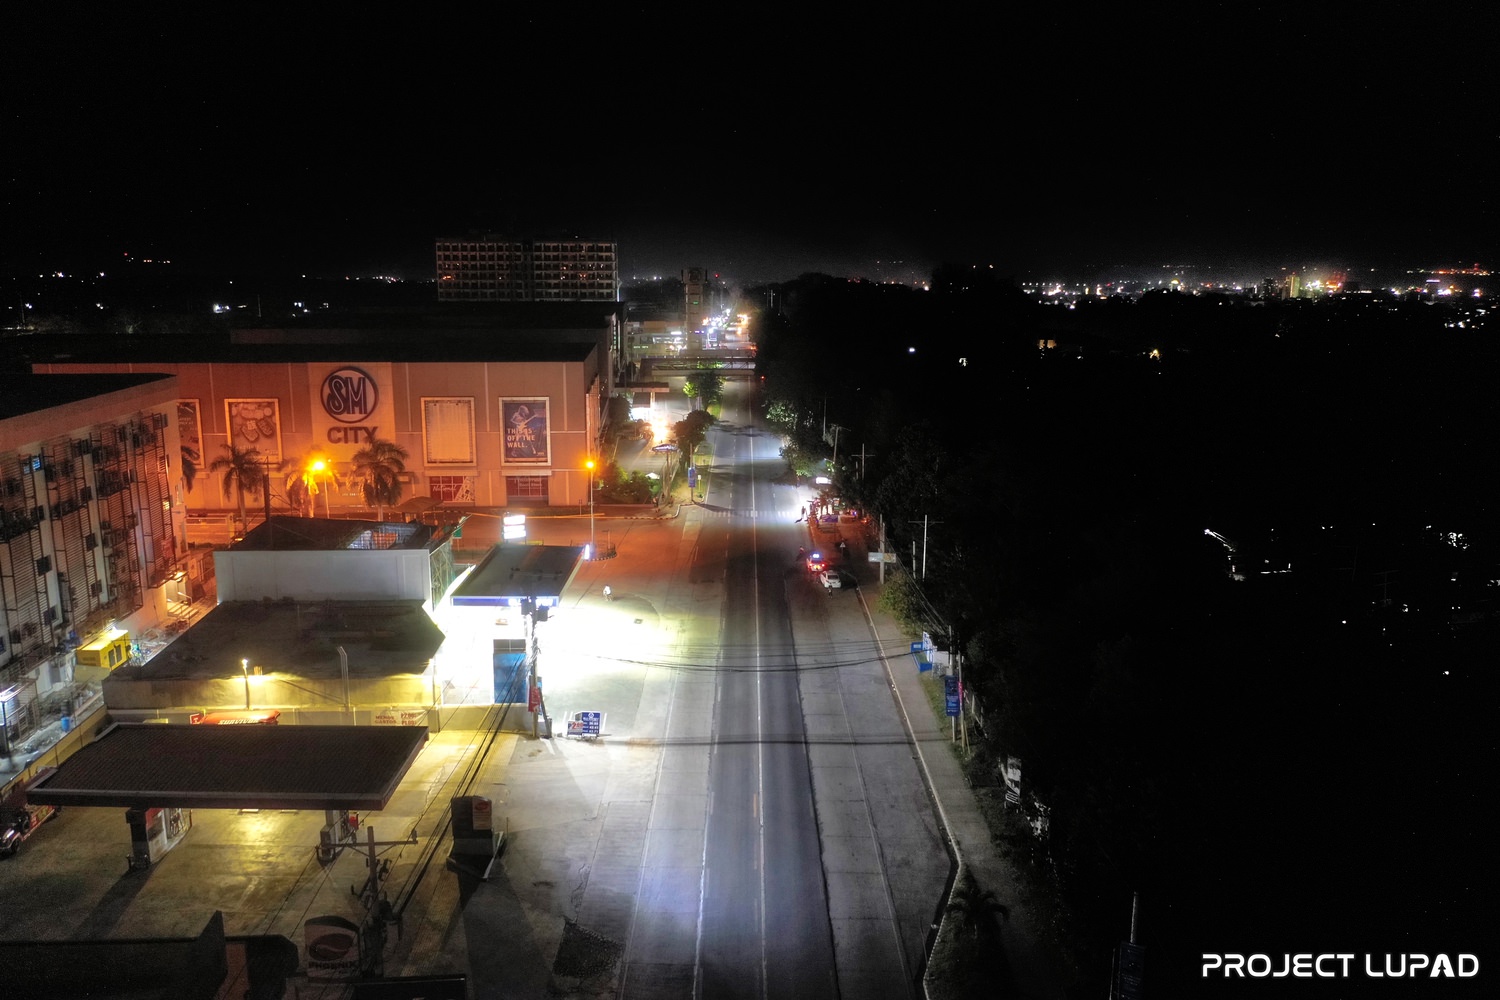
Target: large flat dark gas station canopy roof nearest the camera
236 768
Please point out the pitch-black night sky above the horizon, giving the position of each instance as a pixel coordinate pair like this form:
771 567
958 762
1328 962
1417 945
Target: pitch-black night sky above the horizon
755 146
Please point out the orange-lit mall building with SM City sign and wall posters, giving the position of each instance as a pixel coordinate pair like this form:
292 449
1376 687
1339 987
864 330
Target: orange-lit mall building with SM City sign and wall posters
500 421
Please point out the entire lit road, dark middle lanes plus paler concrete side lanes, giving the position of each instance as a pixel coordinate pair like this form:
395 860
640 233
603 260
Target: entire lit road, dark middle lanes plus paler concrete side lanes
766 875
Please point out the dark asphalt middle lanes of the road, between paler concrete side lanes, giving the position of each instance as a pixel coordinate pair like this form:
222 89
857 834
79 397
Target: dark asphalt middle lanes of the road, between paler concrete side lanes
766 927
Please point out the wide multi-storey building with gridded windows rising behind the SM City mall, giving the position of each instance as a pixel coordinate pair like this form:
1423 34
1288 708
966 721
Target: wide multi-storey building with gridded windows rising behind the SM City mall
496 269
